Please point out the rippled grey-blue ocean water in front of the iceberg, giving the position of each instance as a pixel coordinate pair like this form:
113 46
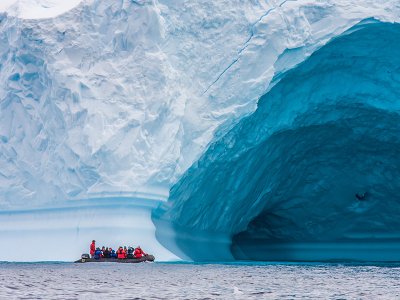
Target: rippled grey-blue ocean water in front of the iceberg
198 281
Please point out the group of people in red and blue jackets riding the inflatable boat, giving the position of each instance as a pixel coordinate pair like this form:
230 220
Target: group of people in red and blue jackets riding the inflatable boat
121 253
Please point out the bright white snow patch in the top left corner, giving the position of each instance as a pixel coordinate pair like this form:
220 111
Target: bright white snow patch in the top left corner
37 9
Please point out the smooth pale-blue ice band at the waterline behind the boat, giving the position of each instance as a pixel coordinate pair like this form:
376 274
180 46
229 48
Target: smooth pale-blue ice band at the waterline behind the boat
64 232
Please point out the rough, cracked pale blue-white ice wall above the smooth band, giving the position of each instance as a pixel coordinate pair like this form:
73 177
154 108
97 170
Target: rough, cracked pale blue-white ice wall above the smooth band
124 96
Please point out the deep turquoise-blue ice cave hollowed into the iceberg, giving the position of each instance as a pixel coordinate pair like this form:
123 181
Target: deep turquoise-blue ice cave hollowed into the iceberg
282 184
